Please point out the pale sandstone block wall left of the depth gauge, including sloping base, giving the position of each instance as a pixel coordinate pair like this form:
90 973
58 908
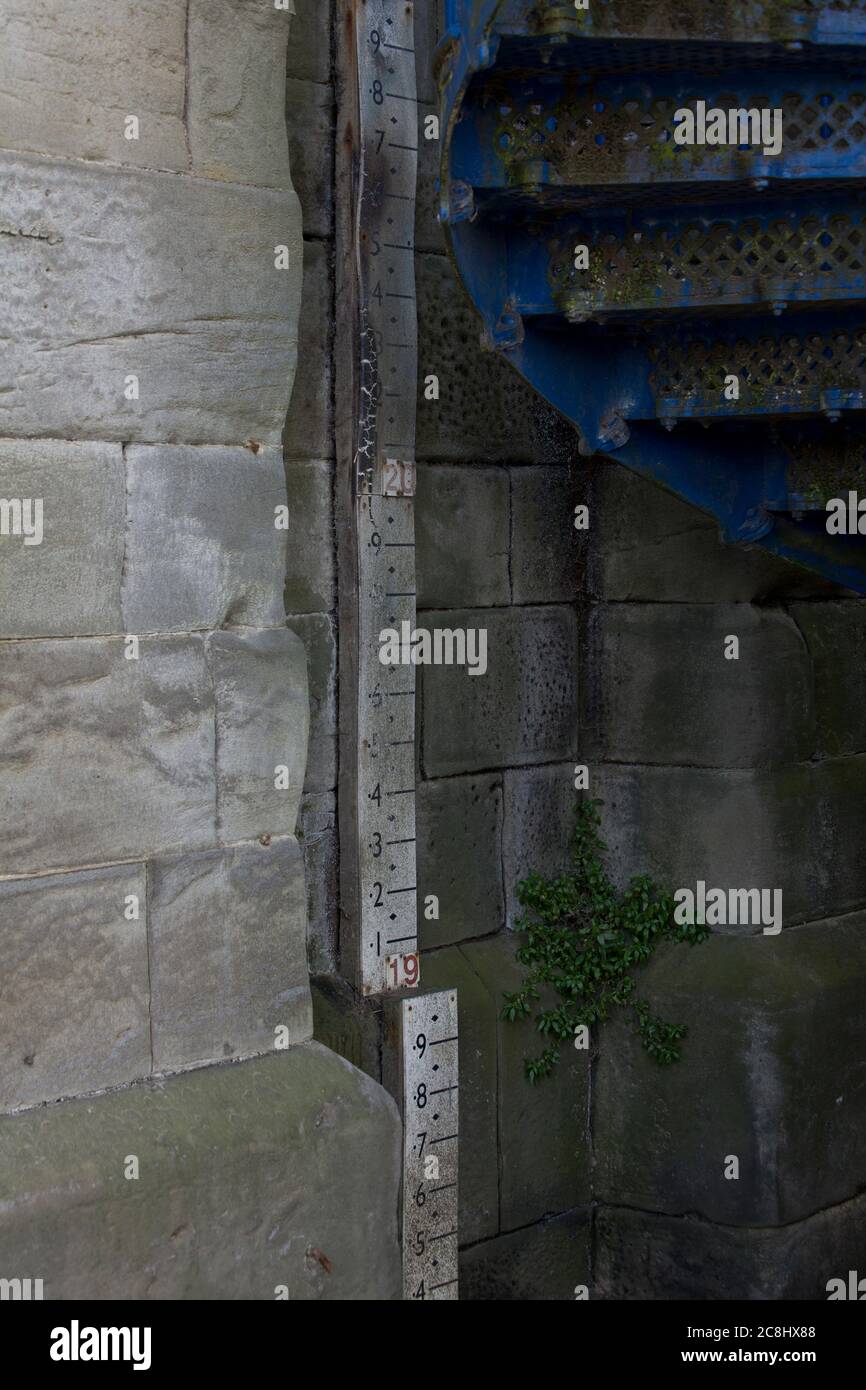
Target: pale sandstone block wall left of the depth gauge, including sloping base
158 717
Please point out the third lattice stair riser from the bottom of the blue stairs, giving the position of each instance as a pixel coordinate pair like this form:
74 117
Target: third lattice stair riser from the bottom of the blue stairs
732 262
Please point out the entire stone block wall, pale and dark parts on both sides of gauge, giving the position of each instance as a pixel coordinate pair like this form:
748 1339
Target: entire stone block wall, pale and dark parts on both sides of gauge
159 883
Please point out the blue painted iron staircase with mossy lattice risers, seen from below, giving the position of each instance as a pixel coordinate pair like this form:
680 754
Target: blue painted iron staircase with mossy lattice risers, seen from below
704 261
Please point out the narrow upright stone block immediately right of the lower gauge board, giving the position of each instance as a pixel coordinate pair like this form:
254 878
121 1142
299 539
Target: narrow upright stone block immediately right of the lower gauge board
479 1186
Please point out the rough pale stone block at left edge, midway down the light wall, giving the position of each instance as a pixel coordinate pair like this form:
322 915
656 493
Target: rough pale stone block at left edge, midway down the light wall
105 758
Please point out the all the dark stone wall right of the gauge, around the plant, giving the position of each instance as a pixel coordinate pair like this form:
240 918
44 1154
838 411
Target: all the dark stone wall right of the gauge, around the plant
742 774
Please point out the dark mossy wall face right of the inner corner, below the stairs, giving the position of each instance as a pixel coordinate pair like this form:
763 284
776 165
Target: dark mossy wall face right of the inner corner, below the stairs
746 774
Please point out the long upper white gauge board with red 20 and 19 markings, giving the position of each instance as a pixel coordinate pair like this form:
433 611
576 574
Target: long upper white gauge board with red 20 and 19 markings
384 486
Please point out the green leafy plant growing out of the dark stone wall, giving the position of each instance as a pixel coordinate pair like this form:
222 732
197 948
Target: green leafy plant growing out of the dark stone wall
583 938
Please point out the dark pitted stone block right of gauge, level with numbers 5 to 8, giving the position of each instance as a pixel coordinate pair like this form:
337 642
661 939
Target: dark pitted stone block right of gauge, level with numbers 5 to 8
522 711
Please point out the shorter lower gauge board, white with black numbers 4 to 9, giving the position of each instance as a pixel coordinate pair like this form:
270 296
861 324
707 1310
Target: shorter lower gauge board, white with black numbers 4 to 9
430 1084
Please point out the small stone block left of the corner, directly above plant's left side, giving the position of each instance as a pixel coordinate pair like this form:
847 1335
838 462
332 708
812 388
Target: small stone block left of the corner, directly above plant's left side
539 829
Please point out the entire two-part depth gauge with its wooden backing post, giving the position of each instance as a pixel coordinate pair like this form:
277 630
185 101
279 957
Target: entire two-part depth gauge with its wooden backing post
376 433
